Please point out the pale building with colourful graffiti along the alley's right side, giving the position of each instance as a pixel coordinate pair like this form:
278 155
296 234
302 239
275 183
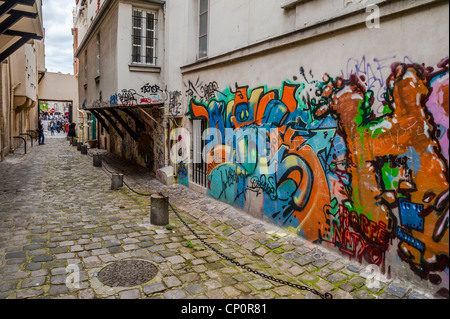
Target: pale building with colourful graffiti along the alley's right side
328 118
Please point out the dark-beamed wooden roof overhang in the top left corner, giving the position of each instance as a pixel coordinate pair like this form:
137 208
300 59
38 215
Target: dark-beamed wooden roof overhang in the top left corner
20 22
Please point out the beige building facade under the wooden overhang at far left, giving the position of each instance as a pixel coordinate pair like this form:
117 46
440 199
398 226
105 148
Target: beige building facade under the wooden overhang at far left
22 64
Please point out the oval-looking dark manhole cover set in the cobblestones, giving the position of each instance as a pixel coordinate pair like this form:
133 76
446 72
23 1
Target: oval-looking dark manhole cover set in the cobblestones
127 273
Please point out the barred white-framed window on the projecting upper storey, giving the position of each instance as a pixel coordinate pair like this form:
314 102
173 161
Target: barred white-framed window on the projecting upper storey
144 37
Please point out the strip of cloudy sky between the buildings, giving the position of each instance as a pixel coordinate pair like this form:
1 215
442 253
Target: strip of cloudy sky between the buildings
58 22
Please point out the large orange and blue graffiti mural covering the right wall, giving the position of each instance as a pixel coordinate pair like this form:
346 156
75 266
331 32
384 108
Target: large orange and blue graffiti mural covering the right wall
362 158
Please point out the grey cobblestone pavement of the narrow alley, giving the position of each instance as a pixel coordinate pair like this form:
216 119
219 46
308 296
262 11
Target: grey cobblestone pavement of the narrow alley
60 224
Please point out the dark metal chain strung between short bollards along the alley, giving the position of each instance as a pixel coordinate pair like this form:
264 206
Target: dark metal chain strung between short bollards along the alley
233 261
